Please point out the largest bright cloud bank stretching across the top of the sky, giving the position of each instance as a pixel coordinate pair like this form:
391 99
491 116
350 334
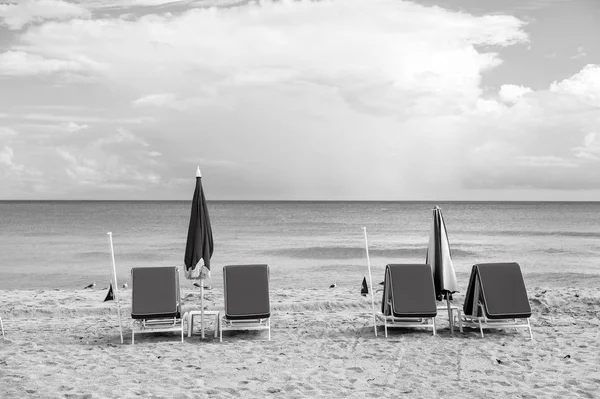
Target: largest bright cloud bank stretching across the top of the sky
386 49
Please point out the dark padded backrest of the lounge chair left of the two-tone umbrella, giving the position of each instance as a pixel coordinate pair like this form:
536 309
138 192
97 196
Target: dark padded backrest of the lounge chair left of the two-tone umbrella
410 289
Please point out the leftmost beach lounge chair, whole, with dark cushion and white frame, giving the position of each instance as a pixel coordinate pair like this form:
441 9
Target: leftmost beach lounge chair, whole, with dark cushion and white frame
155 301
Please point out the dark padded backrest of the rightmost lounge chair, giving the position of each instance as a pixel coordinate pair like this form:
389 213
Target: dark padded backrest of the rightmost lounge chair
501 290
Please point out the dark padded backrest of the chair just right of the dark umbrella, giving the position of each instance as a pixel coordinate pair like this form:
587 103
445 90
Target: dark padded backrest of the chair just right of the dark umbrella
246 291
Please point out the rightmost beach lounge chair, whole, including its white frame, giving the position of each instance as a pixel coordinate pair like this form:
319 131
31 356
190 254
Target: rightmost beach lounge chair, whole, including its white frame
496 298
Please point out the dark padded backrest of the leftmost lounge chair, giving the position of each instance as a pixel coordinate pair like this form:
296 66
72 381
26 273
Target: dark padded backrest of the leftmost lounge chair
155 292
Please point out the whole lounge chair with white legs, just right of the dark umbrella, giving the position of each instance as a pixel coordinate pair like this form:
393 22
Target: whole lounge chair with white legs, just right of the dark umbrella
247 305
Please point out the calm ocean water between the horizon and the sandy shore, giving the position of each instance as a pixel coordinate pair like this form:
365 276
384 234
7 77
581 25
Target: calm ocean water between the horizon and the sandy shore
64 244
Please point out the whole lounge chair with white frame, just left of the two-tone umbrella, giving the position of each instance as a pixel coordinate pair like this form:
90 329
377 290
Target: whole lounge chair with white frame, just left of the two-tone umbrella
408 297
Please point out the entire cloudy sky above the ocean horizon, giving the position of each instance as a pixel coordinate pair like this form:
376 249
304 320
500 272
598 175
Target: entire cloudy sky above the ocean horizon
300 100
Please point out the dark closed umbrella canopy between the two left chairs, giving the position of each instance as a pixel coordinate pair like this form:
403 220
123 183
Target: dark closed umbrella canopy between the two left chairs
199 247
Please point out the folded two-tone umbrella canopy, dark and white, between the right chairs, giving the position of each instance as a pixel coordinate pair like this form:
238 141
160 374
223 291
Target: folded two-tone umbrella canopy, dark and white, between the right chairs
440 259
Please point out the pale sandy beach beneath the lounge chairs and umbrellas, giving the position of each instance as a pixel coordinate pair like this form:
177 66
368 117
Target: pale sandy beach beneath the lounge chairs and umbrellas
63 343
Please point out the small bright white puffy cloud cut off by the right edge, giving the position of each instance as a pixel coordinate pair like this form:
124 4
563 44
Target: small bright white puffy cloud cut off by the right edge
585 85
